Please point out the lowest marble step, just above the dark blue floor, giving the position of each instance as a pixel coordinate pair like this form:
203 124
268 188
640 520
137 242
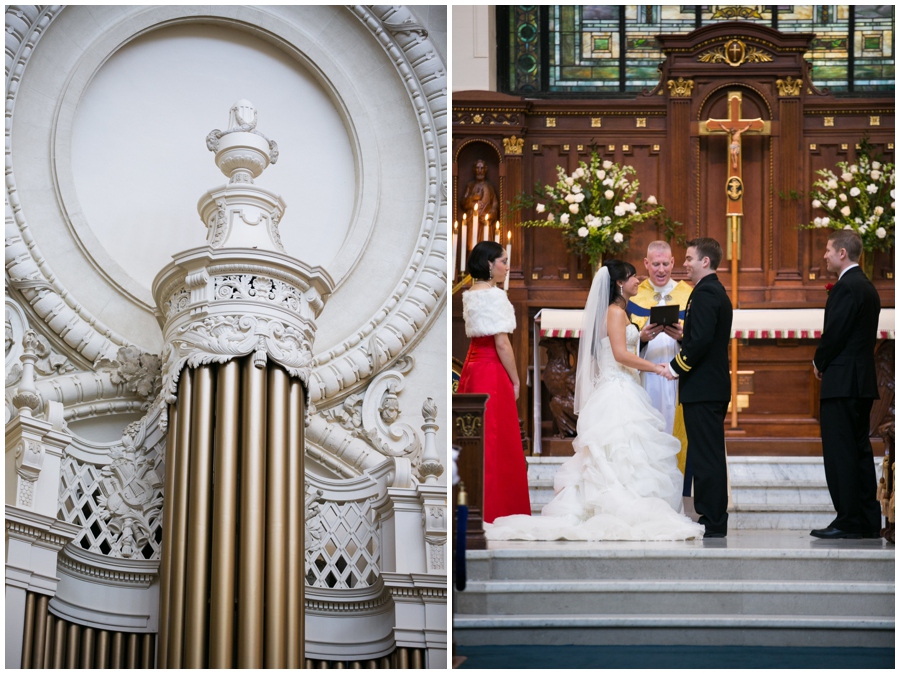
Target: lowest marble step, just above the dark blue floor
675 629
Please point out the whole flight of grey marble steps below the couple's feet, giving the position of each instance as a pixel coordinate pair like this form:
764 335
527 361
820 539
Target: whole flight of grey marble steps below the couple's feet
777 588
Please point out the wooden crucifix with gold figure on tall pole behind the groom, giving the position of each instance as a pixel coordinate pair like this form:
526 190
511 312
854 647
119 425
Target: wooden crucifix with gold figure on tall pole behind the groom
735 127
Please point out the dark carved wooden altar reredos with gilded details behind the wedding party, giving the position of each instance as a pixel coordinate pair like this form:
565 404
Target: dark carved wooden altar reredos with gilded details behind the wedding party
659 133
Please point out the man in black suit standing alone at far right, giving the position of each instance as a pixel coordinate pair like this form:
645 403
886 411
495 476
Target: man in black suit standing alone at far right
845 364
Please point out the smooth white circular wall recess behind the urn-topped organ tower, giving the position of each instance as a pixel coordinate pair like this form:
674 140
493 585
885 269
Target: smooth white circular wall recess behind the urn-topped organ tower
140 163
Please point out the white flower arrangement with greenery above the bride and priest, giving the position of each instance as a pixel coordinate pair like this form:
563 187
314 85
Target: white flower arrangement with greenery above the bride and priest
596 207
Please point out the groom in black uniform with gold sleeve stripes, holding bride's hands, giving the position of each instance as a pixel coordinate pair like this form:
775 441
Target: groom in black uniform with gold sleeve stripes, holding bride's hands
705 383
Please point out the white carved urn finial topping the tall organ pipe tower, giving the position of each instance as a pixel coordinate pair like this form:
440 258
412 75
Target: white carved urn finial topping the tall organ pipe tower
242 152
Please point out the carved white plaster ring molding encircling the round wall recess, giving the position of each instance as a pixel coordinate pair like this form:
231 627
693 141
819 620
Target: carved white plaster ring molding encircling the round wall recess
403 318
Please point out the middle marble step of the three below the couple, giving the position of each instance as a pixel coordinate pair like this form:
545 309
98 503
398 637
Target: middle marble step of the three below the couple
690 597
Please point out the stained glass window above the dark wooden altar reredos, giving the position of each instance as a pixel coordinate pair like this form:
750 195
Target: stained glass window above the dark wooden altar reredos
578 50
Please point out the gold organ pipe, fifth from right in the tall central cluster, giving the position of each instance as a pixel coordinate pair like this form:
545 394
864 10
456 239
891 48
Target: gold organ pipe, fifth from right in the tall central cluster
196 571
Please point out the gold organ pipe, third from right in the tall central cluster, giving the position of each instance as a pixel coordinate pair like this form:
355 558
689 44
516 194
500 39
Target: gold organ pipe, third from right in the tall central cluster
251 587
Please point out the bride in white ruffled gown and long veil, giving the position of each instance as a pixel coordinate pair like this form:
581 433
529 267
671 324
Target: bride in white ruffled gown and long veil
623 483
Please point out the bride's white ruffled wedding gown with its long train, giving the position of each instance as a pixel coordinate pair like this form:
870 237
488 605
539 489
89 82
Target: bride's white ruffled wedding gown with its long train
623 482
